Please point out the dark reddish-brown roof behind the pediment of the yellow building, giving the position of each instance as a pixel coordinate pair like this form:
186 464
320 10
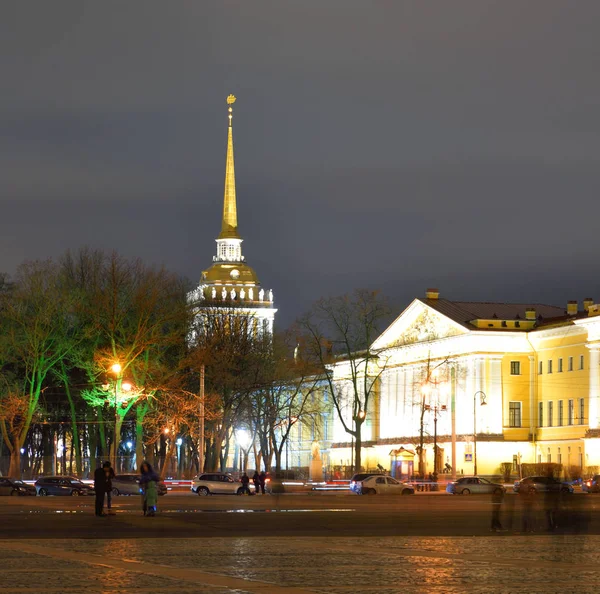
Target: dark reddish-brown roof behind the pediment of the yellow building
464 312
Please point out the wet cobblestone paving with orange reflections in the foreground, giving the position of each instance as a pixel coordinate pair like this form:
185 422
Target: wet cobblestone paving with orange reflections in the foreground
497 563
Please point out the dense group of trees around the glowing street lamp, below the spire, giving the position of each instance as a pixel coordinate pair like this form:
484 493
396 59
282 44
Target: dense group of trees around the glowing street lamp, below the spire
97 361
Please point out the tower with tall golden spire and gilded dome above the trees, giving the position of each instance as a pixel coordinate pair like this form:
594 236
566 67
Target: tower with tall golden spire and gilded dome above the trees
230 285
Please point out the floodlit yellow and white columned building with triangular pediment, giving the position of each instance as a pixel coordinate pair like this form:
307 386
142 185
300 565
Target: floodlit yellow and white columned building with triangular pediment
504 383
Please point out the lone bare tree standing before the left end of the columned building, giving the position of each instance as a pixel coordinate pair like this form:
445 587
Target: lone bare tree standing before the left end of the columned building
341 331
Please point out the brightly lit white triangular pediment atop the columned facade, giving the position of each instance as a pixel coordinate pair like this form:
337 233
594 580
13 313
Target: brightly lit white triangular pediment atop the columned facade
418 323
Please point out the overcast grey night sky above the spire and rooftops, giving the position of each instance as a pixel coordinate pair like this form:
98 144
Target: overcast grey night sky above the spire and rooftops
390 145
